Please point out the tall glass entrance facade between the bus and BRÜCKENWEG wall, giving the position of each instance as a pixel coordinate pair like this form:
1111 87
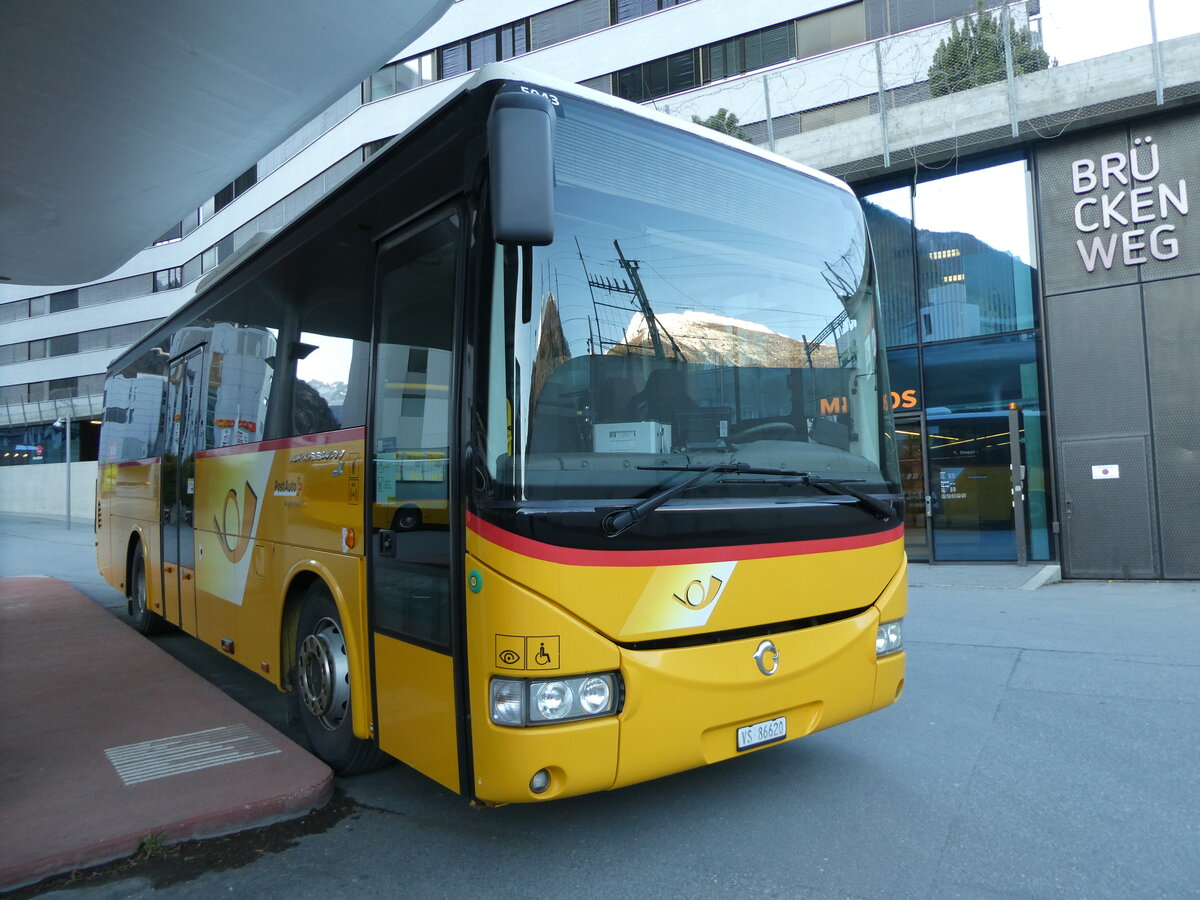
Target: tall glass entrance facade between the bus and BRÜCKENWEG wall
958 285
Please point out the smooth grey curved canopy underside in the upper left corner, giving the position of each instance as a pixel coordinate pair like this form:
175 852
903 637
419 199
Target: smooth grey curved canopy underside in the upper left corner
119 117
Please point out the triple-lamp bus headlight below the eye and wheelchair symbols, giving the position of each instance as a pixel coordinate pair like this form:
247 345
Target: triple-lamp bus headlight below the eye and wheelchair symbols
525 701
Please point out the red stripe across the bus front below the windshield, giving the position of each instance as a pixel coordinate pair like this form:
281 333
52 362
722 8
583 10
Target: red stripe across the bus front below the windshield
569 556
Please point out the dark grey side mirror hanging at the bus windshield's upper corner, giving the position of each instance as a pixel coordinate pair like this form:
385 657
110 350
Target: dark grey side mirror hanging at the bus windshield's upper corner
521 153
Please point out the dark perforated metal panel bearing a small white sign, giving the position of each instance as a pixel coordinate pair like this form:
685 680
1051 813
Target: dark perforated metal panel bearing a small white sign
1108 524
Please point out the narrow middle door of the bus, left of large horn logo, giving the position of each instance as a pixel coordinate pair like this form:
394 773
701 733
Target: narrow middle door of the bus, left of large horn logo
178 490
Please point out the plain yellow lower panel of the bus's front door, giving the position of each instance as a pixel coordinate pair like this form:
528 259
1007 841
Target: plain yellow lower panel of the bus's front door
417 716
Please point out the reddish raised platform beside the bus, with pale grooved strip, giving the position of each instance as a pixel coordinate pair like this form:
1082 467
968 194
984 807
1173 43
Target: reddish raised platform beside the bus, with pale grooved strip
107 741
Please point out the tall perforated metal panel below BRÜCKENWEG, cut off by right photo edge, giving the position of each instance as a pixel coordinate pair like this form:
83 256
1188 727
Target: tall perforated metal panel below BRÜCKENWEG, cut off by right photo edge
1173 322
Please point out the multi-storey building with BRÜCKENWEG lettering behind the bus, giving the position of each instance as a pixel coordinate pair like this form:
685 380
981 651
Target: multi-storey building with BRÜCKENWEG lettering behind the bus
1039 267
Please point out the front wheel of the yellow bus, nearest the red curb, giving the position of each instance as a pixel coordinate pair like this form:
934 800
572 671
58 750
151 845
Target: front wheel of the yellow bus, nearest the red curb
322 688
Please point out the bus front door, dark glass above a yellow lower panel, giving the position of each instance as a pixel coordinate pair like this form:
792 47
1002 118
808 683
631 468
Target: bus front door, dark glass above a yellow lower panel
412 514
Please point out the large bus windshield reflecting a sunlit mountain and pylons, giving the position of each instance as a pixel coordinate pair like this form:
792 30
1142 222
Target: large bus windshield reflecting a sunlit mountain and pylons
698 307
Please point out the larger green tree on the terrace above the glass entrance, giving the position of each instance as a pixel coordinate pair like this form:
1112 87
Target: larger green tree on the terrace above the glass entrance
975 55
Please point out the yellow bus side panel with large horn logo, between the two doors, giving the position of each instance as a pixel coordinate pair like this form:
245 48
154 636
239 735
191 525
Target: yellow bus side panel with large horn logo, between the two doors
266 519
